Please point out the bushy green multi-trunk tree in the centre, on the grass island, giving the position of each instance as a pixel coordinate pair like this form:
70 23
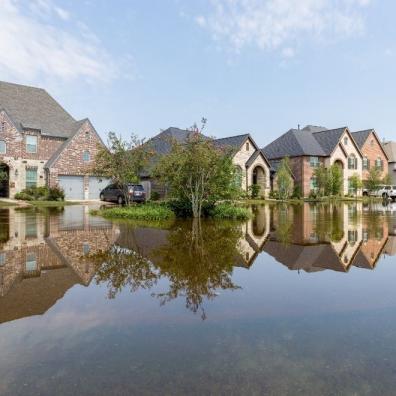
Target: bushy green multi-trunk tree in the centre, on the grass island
197 171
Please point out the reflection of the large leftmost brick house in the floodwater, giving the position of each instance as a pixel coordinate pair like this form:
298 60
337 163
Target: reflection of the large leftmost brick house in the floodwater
43 257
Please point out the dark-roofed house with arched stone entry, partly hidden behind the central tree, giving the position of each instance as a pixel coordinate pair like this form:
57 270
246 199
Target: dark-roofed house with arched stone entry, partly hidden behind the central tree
250 162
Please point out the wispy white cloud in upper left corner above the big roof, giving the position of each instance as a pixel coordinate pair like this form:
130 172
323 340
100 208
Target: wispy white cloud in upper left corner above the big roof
38 40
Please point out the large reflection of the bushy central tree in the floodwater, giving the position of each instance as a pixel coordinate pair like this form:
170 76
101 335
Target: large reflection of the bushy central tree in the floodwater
198 260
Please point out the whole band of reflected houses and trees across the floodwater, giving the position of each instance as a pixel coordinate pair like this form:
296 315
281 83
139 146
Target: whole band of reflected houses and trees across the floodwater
44 253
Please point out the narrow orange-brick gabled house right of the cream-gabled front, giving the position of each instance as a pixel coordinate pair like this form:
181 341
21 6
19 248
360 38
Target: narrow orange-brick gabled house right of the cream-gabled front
373 153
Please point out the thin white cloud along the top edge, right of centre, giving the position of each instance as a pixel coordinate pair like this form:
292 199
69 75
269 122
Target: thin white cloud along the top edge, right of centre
275 24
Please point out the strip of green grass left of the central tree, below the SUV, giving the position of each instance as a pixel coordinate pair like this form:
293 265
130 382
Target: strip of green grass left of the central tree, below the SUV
149 212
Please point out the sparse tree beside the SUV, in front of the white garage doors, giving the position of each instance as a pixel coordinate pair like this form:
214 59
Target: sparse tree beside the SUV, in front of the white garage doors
121 160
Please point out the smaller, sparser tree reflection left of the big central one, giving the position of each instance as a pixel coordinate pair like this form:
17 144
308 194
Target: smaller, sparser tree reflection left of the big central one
121 267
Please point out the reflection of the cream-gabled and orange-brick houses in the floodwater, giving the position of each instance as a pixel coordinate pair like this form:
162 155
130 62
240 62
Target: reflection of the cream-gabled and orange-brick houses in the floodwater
315 237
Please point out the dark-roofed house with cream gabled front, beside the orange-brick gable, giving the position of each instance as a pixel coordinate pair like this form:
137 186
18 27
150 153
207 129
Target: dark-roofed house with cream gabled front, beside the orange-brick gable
312 146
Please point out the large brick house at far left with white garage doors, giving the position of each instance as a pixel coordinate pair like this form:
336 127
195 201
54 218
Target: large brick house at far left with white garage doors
41 144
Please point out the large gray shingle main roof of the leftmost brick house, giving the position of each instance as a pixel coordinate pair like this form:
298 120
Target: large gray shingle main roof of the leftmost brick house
34 108
